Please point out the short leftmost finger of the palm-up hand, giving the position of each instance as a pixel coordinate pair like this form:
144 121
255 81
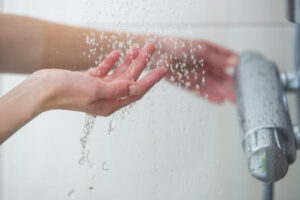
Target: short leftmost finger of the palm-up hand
108 63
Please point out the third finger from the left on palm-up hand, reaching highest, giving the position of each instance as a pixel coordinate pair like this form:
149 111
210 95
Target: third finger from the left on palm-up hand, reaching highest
136 68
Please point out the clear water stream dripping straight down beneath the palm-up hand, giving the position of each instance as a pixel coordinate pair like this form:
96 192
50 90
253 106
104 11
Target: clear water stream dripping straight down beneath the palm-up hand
87 129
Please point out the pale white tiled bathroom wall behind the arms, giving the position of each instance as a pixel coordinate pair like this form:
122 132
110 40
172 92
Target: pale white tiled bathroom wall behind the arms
171 144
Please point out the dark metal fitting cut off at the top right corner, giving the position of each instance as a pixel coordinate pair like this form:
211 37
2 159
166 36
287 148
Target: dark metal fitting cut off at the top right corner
293 10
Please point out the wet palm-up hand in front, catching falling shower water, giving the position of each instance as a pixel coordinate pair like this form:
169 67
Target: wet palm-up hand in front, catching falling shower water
95 91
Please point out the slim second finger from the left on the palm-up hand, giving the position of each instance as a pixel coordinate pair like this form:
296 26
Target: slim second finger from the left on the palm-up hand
133 53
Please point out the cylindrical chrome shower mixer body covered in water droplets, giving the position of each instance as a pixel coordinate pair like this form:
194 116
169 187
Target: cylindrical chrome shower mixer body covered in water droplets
266 128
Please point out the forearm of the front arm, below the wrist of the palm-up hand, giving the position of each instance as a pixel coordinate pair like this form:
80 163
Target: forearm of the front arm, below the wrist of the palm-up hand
20 105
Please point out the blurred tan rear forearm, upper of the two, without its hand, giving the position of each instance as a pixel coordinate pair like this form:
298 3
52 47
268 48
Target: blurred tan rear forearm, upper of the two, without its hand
28 44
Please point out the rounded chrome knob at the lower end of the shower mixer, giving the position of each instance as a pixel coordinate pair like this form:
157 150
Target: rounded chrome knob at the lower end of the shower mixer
267 158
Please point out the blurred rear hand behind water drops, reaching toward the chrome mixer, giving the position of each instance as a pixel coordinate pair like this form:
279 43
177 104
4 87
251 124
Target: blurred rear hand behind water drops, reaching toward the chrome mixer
198 66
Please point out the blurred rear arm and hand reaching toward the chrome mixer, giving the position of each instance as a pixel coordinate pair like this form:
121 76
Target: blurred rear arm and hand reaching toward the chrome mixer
28 44
